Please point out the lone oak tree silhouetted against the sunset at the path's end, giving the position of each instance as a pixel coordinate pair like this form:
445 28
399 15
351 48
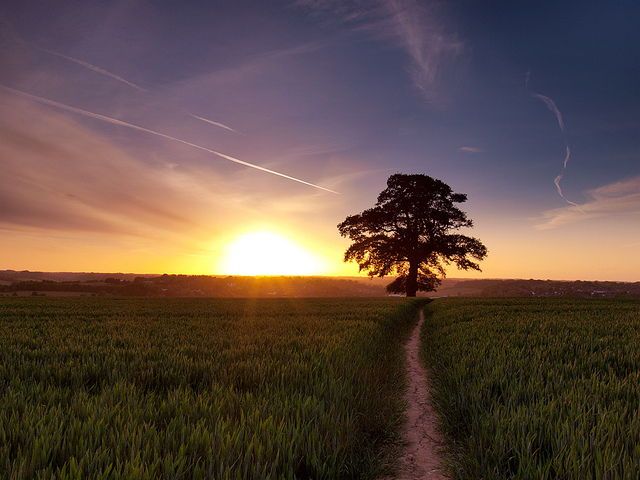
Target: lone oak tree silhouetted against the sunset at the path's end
410 233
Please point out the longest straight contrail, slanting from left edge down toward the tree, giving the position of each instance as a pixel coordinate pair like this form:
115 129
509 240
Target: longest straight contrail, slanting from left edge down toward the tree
152 132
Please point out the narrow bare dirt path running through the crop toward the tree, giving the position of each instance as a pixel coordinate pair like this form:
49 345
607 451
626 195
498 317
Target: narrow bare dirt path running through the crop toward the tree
421 459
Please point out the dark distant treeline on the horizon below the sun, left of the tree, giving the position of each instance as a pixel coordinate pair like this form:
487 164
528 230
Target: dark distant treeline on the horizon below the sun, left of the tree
206 286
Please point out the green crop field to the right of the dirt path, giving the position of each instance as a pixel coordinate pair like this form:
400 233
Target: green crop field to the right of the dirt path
537 388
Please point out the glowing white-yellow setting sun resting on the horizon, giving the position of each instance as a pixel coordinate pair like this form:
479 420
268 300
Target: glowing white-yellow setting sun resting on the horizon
266 253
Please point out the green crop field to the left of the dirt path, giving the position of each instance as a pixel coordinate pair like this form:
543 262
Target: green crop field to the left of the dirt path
201 388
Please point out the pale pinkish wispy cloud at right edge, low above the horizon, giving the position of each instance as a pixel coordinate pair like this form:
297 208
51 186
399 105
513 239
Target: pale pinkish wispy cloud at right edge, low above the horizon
619 198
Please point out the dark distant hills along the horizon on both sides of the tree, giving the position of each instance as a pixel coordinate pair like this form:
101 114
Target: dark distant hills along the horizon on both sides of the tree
128 284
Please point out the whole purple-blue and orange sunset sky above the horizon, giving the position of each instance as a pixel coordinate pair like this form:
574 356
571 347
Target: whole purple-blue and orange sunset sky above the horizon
203 137
